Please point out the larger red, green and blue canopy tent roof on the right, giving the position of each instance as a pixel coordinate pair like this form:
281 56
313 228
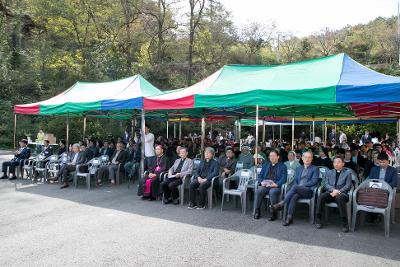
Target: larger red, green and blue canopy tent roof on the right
336 81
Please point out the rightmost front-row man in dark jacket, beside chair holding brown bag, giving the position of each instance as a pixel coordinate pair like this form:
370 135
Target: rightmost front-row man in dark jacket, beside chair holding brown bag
336 189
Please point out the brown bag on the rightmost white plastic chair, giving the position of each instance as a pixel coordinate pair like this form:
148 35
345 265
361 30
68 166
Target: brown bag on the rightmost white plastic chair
373 197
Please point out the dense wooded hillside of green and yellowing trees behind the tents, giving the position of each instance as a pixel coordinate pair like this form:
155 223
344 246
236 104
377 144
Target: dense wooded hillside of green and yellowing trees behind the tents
46 46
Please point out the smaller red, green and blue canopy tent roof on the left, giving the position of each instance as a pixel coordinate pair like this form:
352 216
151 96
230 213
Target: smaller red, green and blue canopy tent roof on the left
125 94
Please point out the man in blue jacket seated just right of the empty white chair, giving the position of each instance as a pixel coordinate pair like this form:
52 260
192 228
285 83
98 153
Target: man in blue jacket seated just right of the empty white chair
273 175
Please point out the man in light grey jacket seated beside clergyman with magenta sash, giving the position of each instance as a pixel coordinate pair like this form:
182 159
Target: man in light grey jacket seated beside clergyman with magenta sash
182 167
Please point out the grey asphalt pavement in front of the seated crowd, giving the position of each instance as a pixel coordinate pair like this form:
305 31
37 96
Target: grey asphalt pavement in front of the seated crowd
41 225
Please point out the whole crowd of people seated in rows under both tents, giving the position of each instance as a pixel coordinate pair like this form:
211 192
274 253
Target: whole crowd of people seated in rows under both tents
286 175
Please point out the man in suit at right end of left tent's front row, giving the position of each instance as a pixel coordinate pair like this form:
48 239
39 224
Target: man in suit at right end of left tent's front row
120 156
